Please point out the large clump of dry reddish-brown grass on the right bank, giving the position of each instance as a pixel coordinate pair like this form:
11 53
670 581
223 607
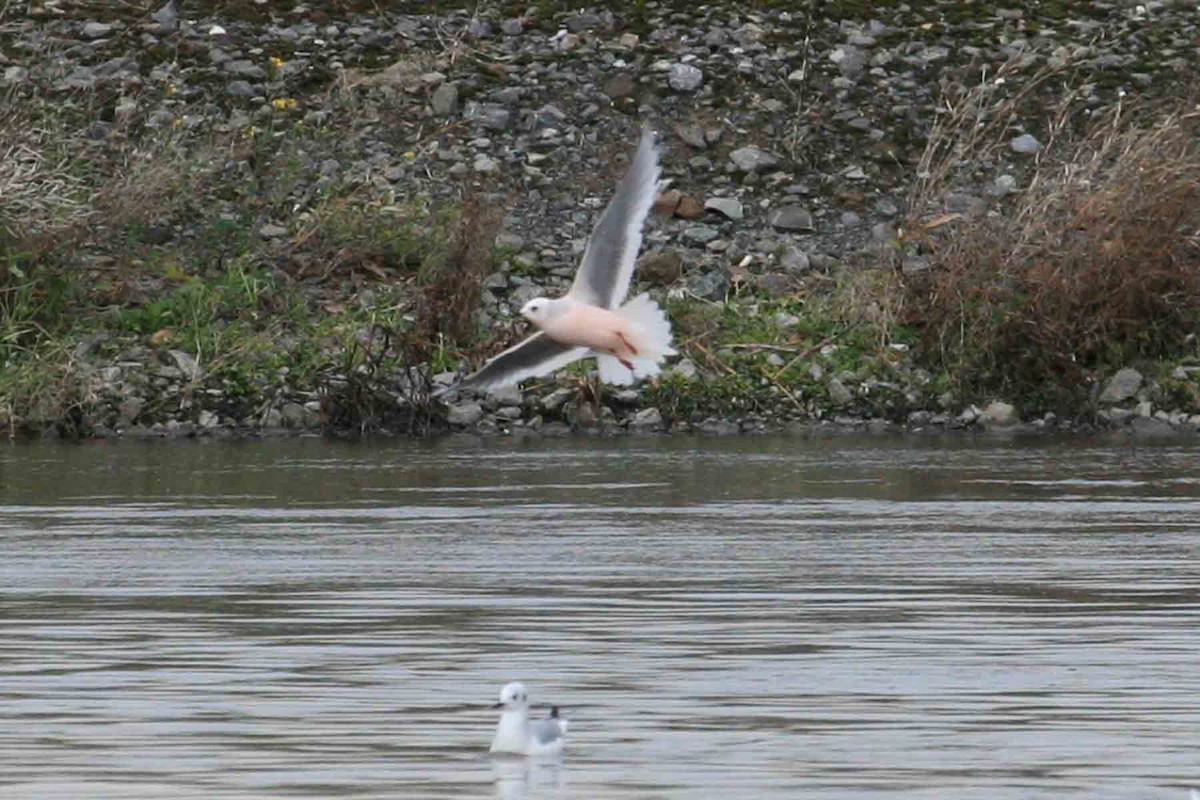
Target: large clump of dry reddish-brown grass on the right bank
1097 263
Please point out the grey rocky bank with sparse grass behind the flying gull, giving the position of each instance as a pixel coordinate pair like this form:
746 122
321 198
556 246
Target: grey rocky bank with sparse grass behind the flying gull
795 136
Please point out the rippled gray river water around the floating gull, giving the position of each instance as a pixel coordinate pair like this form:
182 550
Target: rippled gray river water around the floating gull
727 618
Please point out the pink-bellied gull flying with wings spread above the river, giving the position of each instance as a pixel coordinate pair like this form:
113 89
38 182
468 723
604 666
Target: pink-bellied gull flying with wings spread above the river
631 340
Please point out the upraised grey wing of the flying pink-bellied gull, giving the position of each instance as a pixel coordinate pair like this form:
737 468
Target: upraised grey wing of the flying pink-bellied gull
609 261
